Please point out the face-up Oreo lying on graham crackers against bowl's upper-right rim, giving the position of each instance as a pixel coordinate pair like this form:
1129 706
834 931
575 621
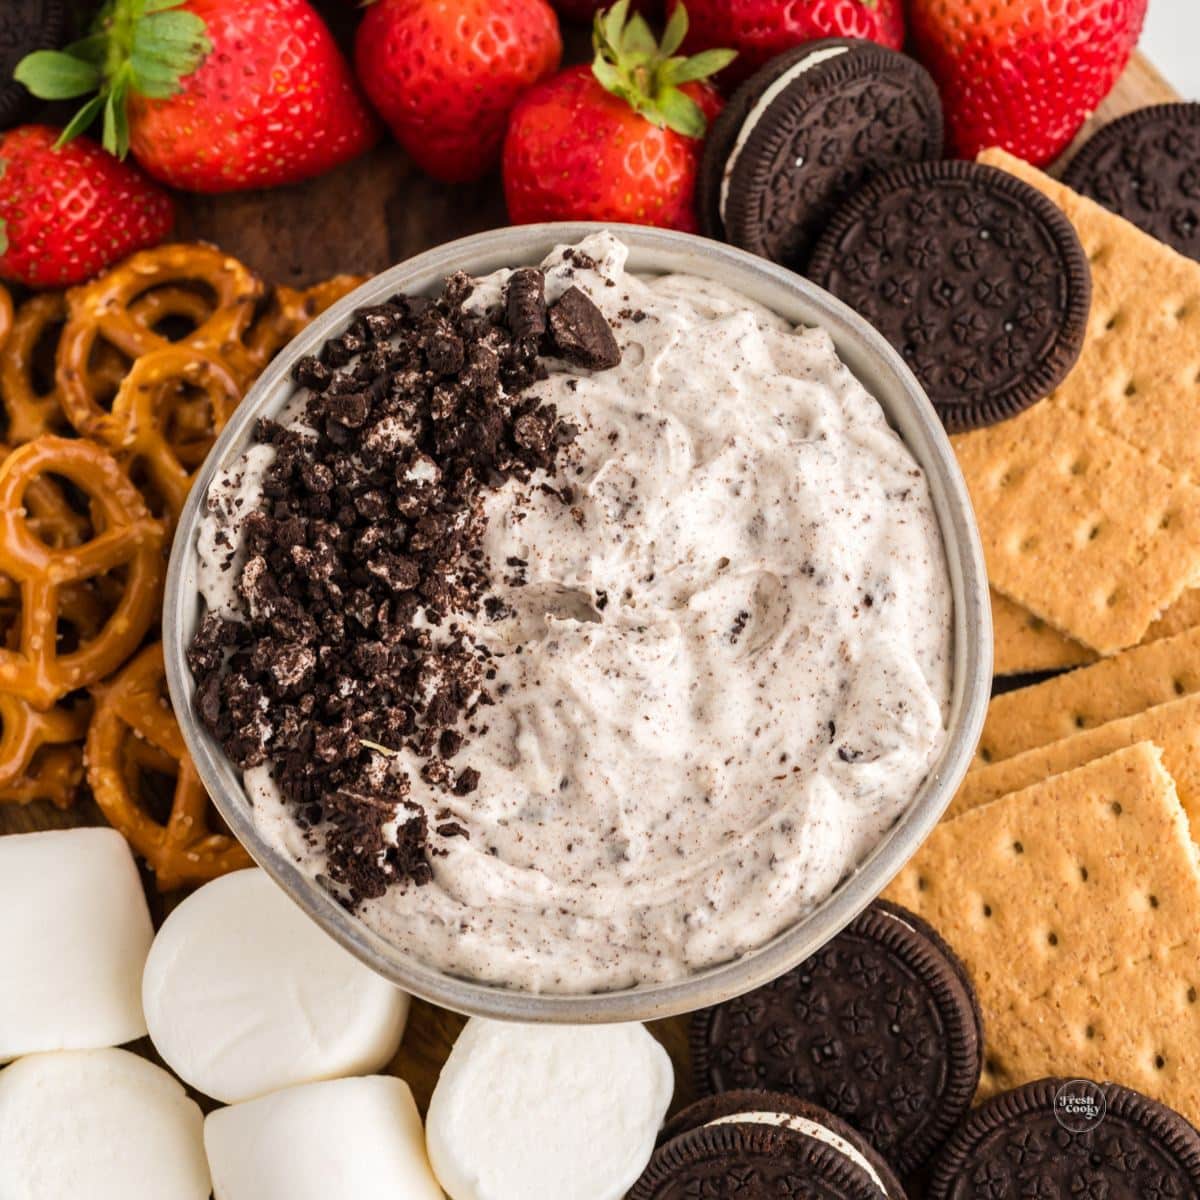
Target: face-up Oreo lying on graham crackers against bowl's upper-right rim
976 278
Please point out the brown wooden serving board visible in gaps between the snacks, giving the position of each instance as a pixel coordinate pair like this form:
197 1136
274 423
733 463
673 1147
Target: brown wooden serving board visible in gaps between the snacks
362 219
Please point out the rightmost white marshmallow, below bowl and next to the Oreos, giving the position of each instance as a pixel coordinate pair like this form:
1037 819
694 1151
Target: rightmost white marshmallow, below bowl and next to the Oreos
548 1113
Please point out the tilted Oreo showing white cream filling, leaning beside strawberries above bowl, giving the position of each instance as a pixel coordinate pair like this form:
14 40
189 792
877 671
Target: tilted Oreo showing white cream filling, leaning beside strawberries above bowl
805 134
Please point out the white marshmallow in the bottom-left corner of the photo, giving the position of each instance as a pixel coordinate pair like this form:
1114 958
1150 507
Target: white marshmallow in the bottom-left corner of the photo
99 1125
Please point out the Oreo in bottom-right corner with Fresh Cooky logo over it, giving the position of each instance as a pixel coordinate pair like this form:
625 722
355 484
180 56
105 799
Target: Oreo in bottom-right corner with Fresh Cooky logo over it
1071 1138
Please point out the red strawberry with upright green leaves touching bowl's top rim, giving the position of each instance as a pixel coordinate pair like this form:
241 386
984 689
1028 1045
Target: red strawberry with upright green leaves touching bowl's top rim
619 141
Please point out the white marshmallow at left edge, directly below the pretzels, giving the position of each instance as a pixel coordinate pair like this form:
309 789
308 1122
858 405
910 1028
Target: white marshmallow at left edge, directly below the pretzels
73 943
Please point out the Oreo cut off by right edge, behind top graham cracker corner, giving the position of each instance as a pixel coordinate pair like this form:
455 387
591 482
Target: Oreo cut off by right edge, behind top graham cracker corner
1147 169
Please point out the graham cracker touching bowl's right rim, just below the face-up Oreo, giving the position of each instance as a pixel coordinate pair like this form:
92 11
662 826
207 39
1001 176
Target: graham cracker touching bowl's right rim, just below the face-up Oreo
1078 526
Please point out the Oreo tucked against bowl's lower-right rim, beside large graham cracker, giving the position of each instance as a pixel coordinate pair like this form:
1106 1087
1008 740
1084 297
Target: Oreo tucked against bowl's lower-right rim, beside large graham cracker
881 1027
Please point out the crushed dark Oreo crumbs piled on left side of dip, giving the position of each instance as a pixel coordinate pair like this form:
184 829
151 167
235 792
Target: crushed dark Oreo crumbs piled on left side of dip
367 542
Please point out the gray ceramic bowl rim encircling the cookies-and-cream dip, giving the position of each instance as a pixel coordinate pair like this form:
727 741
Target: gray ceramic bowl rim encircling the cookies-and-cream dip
885 375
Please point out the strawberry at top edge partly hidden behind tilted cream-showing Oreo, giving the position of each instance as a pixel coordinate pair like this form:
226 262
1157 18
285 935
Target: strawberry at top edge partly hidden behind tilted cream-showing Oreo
761 29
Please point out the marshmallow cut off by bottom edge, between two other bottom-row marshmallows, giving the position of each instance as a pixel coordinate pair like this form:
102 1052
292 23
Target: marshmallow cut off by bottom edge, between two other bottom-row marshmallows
345 1139
